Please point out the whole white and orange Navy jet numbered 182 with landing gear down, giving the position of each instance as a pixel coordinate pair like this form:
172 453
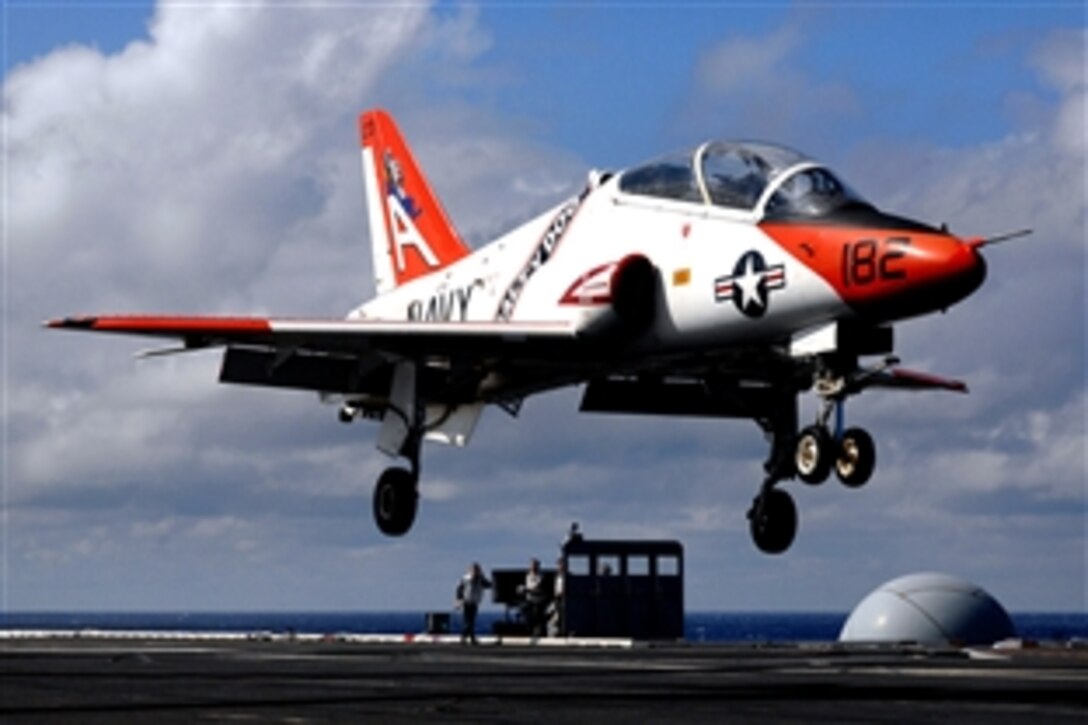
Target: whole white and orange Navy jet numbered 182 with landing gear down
722 282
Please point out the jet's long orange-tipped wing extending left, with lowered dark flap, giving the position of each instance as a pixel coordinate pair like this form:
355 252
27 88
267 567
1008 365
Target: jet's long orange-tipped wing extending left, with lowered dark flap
349 357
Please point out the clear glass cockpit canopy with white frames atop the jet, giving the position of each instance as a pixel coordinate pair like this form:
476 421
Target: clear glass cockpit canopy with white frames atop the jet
764 180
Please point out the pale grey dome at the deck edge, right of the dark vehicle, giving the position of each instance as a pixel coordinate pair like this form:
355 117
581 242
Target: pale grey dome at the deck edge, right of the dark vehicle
929 609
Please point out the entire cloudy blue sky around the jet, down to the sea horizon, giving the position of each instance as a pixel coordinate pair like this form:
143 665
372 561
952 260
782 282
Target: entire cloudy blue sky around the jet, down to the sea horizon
202 157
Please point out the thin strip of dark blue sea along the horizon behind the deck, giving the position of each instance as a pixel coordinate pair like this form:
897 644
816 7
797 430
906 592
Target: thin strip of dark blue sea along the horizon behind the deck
699 626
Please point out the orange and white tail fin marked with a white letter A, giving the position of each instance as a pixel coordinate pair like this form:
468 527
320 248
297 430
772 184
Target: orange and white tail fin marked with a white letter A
411 235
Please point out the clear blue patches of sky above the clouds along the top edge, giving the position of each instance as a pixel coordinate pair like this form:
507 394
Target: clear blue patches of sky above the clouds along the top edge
939 71
